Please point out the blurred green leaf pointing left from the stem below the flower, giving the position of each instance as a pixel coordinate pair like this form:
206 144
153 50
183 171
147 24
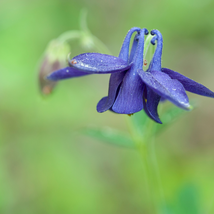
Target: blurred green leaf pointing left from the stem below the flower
110 136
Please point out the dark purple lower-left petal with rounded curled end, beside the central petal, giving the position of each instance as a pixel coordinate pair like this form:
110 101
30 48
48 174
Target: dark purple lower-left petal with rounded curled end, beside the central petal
106 102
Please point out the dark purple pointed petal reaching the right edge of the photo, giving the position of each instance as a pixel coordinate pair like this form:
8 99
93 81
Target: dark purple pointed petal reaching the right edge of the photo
189 85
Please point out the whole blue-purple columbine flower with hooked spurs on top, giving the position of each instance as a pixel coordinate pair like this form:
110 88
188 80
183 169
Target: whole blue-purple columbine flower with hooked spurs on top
130 87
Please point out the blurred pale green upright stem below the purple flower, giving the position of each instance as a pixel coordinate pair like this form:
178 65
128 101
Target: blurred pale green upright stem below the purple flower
145 144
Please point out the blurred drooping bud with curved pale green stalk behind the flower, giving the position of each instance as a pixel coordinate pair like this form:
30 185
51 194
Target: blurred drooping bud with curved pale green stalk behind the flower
57 51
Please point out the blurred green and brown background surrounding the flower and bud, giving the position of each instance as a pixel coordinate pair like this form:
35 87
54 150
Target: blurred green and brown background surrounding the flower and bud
45 167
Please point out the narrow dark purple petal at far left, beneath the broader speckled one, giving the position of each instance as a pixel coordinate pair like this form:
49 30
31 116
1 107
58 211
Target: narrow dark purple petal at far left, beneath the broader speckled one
66 73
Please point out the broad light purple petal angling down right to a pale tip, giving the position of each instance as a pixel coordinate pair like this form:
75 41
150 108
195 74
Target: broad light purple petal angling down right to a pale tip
166 87
